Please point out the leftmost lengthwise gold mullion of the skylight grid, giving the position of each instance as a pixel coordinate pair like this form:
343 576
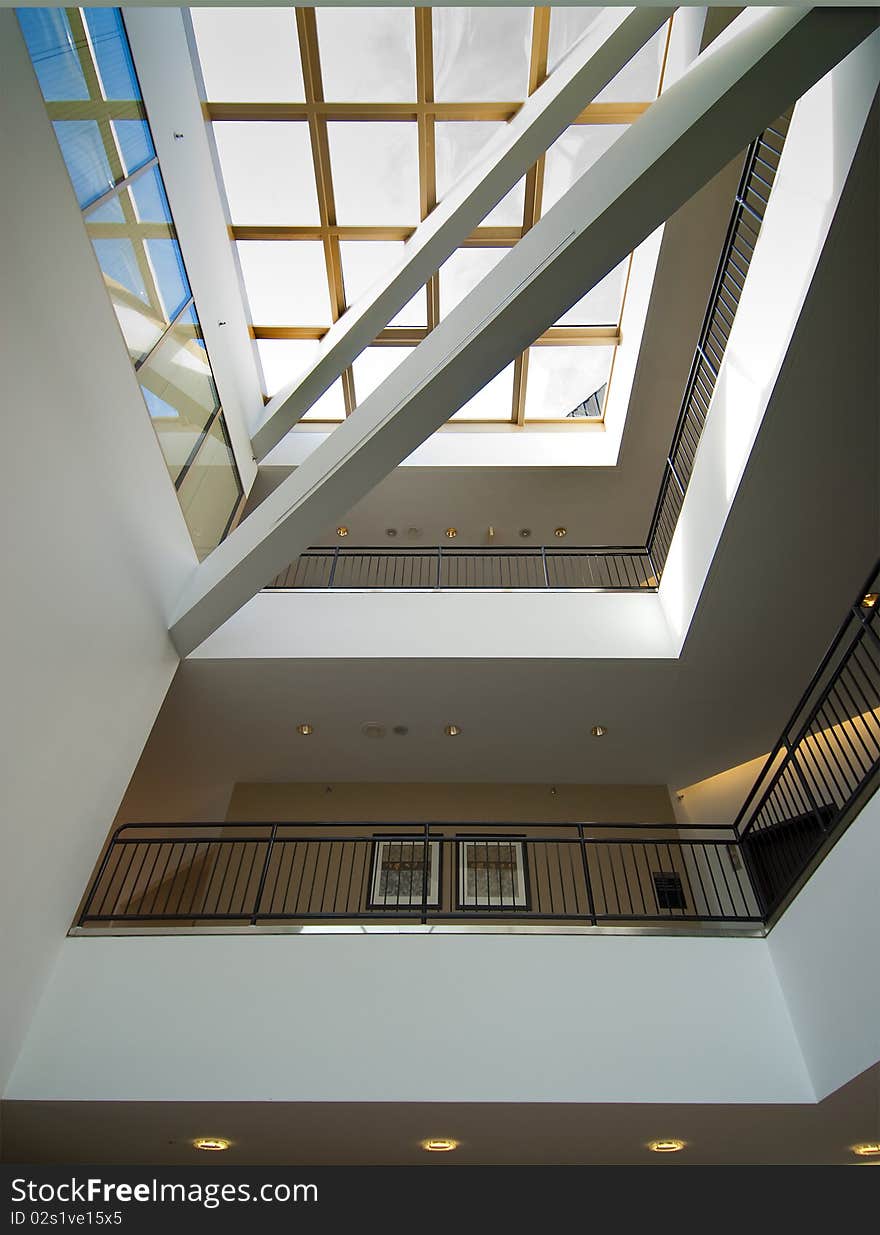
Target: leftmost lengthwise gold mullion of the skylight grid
310 57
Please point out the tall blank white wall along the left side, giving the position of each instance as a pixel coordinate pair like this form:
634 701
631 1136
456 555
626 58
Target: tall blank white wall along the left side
96 551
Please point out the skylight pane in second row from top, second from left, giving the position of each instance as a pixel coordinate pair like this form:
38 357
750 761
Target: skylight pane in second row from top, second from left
376 172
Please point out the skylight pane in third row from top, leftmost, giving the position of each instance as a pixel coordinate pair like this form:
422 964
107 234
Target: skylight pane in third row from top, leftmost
286 282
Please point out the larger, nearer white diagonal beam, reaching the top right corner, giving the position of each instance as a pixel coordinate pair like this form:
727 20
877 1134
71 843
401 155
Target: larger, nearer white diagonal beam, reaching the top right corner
730 94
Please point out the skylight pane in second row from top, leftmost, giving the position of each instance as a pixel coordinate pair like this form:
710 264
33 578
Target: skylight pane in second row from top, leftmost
268 172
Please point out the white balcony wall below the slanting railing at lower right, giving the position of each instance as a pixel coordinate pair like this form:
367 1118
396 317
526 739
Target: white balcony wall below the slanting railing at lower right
825 949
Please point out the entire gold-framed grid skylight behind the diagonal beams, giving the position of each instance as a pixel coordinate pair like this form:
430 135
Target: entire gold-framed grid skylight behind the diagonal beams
338 130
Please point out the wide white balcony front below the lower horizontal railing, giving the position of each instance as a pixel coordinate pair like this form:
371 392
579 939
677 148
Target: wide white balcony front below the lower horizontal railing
409 1018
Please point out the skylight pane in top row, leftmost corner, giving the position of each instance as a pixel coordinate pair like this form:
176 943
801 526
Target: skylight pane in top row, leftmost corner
250 55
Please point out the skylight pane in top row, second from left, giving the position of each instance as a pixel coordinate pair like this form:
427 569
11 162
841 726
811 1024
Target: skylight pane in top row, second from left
367 55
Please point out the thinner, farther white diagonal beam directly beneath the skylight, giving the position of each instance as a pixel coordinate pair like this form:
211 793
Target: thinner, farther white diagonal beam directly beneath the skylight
586 71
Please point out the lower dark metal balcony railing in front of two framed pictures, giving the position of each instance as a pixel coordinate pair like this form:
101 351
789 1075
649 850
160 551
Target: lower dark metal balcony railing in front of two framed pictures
814 782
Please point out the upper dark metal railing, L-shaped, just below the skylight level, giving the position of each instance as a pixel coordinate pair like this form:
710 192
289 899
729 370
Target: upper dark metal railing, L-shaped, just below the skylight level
607 569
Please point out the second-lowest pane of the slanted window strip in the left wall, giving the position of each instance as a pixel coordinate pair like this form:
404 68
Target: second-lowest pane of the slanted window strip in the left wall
180 392
